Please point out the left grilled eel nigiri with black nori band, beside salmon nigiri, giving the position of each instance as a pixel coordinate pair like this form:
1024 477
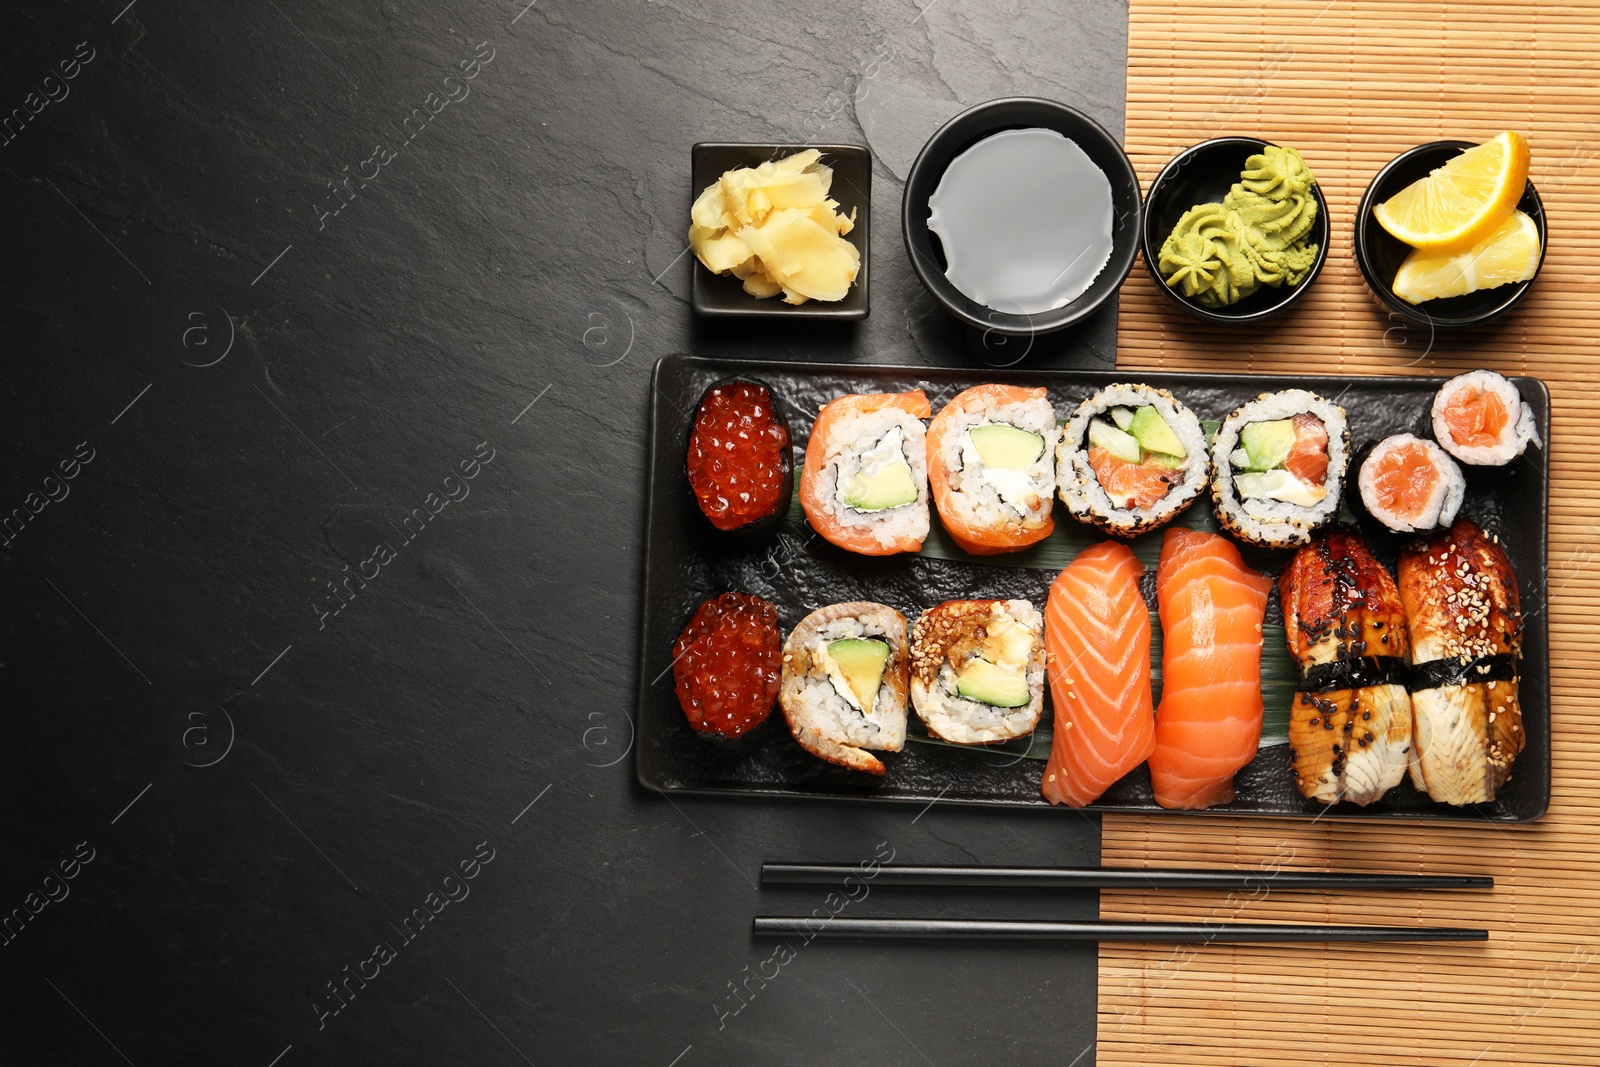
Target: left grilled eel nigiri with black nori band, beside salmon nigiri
1351 722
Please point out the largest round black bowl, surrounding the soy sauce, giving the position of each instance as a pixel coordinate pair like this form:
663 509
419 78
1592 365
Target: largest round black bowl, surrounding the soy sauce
964 132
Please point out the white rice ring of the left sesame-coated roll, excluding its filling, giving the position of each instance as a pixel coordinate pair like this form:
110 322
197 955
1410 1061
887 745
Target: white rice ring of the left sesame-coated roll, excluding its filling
1081 489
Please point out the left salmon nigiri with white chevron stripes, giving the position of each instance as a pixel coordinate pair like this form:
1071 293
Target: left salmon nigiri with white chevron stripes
1098 636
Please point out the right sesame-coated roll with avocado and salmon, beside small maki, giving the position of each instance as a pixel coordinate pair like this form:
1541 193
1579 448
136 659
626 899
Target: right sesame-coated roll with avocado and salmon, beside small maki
1278 468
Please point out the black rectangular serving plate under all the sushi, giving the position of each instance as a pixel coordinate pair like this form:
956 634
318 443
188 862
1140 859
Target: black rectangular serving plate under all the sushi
687 561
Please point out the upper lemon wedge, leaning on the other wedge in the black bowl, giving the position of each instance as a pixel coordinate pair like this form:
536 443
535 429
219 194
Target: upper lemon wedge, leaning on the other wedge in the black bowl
1462 202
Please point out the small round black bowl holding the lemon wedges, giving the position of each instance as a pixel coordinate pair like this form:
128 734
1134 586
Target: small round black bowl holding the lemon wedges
1380 254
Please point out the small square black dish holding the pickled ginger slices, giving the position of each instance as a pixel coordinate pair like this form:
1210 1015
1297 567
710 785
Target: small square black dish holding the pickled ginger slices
724 295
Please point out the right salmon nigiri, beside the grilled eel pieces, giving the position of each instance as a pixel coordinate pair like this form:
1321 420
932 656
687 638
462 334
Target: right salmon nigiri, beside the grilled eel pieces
1209 724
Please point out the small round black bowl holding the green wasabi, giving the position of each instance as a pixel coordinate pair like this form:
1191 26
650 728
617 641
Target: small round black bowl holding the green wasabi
1204 175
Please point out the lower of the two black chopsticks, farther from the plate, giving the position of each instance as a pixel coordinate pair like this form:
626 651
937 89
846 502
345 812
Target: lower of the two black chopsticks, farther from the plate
1012 930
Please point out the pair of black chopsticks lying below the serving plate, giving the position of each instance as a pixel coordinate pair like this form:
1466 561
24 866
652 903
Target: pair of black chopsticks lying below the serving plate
1106 879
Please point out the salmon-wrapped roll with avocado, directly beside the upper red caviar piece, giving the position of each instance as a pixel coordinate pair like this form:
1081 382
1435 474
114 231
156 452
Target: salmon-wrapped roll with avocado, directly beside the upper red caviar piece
865 486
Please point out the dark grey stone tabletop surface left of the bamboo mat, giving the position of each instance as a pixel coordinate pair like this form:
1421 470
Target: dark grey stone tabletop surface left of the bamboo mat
268 391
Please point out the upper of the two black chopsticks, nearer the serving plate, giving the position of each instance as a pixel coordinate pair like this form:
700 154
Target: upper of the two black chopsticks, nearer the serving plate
1113 879
